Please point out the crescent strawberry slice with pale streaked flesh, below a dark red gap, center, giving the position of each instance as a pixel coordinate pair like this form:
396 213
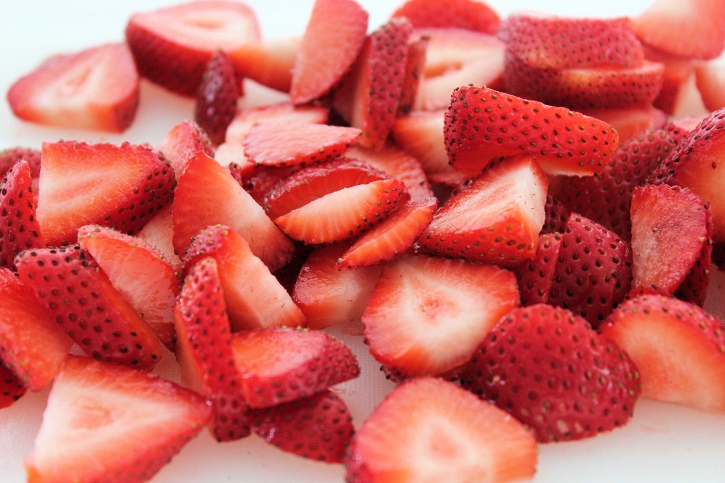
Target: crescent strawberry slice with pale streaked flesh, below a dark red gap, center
343 214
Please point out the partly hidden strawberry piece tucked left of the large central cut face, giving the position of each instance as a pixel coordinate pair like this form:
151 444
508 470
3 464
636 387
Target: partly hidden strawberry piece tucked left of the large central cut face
329 296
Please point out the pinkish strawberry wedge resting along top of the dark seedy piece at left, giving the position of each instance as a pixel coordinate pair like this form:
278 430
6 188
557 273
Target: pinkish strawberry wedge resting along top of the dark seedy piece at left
139 272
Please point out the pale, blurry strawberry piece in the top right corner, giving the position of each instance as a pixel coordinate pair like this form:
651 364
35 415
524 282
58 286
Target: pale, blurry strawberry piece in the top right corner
683 28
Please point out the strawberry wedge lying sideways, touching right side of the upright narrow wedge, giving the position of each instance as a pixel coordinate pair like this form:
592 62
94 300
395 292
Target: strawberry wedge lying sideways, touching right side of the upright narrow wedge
280 365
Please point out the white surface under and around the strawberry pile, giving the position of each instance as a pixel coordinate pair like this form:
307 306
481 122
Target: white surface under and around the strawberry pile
661 443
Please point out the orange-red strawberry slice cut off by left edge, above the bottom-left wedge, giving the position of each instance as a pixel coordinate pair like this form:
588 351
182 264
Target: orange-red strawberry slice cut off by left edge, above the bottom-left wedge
32 345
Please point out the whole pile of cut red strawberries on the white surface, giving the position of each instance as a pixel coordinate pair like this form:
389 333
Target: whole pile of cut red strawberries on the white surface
507 209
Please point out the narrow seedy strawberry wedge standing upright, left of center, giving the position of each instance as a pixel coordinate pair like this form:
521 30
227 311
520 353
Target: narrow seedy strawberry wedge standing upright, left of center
204 350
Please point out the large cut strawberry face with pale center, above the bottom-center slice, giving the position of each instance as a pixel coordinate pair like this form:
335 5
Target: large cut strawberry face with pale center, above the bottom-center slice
427 315
